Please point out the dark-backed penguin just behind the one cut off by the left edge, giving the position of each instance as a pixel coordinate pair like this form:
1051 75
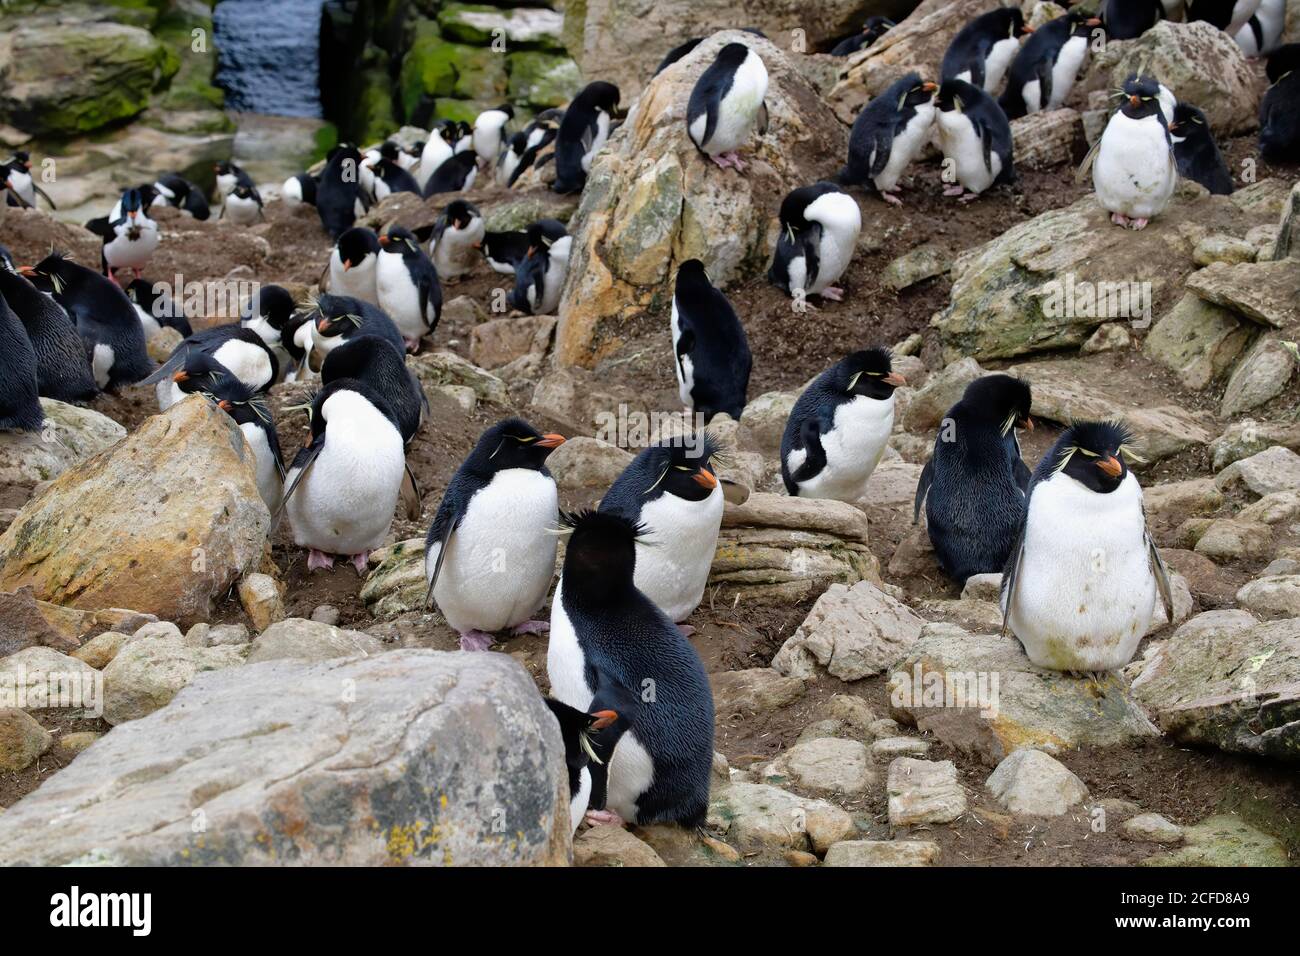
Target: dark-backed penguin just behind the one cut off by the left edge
63 369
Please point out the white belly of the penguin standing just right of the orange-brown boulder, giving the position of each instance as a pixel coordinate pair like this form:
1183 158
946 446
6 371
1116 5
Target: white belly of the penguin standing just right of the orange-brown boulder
345 504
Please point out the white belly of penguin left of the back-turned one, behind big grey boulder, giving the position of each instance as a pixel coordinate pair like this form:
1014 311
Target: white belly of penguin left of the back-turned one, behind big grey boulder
502 557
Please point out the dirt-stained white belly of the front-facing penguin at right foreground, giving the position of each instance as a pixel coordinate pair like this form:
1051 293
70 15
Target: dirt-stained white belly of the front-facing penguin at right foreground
1085 591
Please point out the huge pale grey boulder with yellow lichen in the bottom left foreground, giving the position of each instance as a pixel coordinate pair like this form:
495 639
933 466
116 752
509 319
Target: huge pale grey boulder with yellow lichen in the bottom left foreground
411 759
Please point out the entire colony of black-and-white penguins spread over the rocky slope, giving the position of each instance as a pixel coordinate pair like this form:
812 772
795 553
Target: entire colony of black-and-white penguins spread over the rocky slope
636 568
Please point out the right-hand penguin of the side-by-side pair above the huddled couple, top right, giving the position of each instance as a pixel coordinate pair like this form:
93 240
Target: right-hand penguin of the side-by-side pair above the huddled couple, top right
1045 72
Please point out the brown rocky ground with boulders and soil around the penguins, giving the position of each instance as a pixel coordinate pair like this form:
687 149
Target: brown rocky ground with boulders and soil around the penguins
822 620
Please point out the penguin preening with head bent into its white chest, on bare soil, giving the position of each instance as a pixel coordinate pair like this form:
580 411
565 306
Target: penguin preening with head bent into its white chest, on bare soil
820 233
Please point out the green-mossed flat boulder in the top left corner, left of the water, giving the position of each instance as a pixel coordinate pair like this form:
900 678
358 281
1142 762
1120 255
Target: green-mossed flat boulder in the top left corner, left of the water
63 81
